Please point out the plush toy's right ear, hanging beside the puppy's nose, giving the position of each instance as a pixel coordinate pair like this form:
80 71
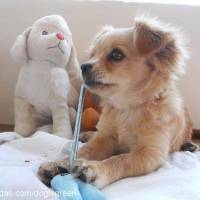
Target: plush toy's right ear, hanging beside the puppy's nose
73 69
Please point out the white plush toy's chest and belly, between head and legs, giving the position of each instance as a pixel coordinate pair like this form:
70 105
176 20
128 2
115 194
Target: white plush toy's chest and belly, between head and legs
40 83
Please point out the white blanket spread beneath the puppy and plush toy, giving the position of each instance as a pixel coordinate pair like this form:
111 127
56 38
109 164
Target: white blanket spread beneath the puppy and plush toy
178 179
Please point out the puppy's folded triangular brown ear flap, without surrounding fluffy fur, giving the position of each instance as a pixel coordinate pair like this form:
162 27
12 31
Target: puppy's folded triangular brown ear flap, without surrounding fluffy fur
148 39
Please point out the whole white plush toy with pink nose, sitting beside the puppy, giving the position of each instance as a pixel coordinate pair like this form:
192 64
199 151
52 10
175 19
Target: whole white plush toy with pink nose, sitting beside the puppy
49 80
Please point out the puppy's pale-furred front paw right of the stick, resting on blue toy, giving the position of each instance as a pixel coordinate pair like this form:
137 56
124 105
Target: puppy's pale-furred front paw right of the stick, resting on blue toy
90 172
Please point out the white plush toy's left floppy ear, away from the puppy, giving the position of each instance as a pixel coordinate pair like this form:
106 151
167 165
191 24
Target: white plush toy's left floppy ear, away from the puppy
19 49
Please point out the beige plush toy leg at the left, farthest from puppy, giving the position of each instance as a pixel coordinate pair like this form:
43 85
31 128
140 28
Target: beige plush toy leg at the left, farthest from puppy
25 123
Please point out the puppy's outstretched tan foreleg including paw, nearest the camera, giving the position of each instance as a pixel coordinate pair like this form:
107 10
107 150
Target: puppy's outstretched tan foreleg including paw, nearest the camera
102 173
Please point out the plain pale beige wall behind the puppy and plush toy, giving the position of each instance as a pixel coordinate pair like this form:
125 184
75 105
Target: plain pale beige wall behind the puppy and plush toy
85 19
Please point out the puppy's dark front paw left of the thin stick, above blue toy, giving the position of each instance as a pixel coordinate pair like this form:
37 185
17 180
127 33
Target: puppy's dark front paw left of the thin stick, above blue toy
50 169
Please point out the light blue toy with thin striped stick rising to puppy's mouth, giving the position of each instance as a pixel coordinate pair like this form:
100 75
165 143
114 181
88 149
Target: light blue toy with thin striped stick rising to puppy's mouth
68 187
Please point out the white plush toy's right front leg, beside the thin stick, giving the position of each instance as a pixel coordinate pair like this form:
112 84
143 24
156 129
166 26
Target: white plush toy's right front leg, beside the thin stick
61 120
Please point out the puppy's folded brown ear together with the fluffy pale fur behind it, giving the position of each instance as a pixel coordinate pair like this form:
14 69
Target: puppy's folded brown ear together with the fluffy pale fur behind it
162 43
